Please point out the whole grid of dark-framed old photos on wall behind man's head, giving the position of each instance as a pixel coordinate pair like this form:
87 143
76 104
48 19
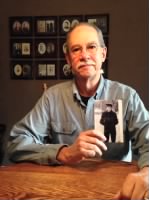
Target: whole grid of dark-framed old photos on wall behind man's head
37 45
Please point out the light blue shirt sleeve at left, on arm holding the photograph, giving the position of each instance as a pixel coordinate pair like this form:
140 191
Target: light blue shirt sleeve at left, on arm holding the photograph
27 141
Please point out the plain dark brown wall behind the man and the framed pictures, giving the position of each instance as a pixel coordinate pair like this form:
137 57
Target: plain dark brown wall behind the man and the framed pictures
127 48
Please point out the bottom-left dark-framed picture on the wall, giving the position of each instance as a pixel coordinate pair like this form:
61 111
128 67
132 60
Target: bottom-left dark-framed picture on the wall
21 70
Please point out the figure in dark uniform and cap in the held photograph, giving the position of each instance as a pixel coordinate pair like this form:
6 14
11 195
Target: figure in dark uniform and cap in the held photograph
109 121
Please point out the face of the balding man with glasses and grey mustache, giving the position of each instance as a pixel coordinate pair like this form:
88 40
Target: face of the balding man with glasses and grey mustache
85 53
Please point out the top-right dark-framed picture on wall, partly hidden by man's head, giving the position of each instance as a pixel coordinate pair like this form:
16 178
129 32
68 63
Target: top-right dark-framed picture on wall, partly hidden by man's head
101 21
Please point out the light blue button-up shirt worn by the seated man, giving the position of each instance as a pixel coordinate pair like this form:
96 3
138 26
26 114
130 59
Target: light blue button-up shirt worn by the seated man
60 115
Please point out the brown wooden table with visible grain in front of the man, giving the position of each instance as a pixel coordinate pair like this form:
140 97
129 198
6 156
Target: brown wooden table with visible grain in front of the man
89 180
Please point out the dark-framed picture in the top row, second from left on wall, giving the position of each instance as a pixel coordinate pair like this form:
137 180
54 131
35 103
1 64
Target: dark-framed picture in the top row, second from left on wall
45 25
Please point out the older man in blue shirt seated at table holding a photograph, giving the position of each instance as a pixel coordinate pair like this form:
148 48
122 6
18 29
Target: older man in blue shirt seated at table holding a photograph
60 128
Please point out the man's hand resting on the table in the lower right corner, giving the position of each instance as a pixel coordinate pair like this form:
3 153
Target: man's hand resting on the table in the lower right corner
135 187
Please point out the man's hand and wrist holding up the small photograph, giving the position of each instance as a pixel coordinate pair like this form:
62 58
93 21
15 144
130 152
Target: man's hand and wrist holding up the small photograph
88 144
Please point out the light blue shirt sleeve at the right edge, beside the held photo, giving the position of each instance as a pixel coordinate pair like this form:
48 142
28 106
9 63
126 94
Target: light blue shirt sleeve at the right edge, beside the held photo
138 125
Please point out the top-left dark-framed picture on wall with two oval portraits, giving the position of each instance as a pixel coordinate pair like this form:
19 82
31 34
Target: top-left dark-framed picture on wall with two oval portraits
21 26
